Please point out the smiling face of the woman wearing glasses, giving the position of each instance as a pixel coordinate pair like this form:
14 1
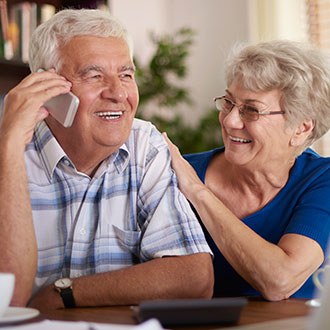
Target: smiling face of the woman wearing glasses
256 142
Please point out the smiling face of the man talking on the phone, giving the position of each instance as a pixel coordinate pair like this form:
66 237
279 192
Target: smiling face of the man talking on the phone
102 75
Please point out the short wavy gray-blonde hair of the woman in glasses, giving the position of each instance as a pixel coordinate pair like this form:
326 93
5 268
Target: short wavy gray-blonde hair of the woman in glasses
301 73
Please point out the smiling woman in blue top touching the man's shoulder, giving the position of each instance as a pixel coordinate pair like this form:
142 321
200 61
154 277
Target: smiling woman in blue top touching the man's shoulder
264 198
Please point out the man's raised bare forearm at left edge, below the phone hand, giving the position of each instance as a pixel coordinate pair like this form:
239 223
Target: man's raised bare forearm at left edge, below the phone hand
17 236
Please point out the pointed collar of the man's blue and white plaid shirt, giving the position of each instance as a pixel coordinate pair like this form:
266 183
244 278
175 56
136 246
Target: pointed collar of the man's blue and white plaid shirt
51 153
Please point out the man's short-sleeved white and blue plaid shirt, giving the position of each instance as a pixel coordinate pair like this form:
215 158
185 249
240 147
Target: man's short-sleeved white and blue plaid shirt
129 212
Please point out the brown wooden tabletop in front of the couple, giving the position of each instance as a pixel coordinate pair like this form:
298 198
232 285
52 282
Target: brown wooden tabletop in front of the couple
257 310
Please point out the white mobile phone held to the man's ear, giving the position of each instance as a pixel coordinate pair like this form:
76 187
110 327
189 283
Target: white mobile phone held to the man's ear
63 107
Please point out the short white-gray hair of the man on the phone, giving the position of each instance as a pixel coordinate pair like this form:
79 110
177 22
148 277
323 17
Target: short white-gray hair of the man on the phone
53 34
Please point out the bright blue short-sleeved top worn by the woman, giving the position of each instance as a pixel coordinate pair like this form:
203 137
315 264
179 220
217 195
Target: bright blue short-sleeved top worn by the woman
301 207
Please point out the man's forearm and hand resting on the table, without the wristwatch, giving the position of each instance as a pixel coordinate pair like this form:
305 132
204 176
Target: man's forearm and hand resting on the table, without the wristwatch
166 278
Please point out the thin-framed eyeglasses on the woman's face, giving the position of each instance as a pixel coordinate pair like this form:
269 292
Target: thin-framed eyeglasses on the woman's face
246 112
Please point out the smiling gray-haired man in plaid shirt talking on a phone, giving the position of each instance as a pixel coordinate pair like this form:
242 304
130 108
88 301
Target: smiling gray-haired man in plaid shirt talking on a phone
91 214
